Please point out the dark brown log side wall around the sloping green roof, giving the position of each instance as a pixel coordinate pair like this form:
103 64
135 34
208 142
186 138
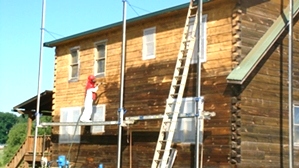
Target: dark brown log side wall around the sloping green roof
261 104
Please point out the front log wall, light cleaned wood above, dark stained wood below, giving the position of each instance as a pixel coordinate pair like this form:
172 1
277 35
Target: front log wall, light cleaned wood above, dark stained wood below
147 84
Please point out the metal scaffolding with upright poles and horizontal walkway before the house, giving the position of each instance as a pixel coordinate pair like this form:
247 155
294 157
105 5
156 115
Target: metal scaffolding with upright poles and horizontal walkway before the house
199 115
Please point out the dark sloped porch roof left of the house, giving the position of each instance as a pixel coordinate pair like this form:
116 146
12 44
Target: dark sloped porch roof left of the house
30 104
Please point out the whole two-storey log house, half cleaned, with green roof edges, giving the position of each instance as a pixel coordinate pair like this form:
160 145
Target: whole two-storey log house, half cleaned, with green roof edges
244 80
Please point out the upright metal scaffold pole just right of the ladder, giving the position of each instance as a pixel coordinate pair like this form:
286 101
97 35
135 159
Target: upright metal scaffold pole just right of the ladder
198 123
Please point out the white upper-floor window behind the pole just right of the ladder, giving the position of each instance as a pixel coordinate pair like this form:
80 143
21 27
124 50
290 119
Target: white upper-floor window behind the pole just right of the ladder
203 54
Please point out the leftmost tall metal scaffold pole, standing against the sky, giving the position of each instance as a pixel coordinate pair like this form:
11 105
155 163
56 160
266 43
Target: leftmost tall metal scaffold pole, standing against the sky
37 116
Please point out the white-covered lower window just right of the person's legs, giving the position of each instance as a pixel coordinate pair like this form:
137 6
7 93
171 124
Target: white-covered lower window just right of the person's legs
97 118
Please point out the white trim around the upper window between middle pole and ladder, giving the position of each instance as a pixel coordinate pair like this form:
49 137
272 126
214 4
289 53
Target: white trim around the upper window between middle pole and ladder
144 54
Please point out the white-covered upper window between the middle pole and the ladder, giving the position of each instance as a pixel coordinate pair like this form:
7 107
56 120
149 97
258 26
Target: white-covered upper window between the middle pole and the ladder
145 43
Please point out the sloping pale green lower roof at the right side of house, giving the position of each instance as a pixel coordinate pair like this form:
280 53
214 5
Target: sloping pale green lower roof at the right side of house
241 72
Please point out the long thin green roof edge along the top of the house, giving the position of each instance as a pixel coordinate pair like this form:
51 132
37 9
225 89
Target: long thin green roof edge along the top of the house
55 42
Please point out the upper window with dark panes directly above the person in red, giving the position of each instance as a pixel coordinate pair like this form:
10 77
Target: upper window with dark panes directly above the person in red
100 58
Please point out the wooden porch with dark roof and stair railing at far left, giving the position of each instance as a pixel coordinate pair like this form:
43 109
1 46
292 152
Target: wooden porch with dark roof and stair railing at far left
24 155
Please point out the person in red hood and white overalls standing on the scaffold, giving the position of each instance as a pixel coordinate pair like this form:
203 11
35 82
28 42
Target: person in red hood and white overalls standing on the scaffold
90 95
